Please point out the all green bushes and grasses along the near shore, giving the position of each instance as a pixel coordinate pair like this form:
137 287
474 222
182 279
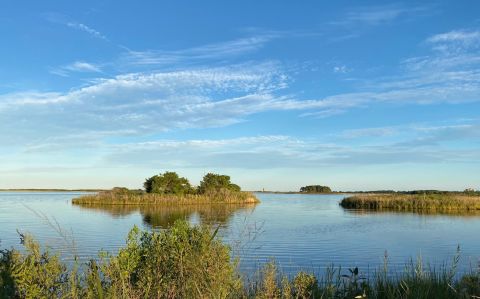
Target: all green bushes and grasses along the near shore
190 262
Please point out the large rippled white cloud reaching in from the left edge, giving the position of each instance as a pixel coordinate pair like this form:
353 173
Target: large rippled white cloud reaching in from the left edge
147 102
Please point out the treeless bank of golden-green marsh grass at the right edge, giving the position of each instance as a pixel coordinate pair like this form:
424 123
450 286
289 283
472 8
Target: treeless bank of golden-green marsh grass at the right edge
428 203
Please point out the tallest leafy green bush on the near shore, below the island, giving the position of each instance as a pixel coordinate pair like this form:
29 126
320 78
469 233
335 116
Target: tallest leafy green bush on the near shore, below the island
185 262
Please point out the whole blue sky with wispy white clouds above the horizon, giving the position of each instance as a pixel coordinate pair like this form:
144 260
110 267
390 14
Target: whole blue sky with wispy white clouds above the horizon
356 95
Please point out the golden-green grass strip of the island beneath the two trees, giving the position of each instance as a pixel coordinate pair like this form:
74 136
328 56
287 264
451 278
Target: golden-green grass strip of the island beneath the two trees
126 197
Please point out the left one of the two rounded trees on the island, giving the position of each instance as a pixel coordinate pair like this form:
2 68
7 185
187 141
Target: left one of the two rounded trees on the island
167 183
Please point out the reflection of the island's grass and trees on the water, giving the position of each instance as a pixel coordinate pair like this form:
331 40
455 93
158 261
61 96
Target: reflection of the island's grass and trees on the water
165 216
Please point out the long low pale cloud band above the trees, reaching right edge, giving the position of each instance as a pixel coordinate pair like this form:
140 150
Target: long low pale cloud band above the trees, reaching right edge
266 152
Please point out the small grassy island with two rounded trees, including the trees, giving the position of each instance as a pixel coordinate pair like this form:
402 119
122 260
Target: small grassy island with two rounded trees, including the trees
171 189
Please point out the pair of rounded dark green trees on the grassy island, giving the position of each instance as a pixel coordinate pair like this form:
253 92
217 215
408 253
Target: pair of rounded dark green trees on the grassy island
171 183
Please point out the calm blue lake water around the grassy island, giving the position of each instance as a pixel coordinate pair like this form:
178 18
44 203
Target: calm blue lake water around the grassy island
299 231
